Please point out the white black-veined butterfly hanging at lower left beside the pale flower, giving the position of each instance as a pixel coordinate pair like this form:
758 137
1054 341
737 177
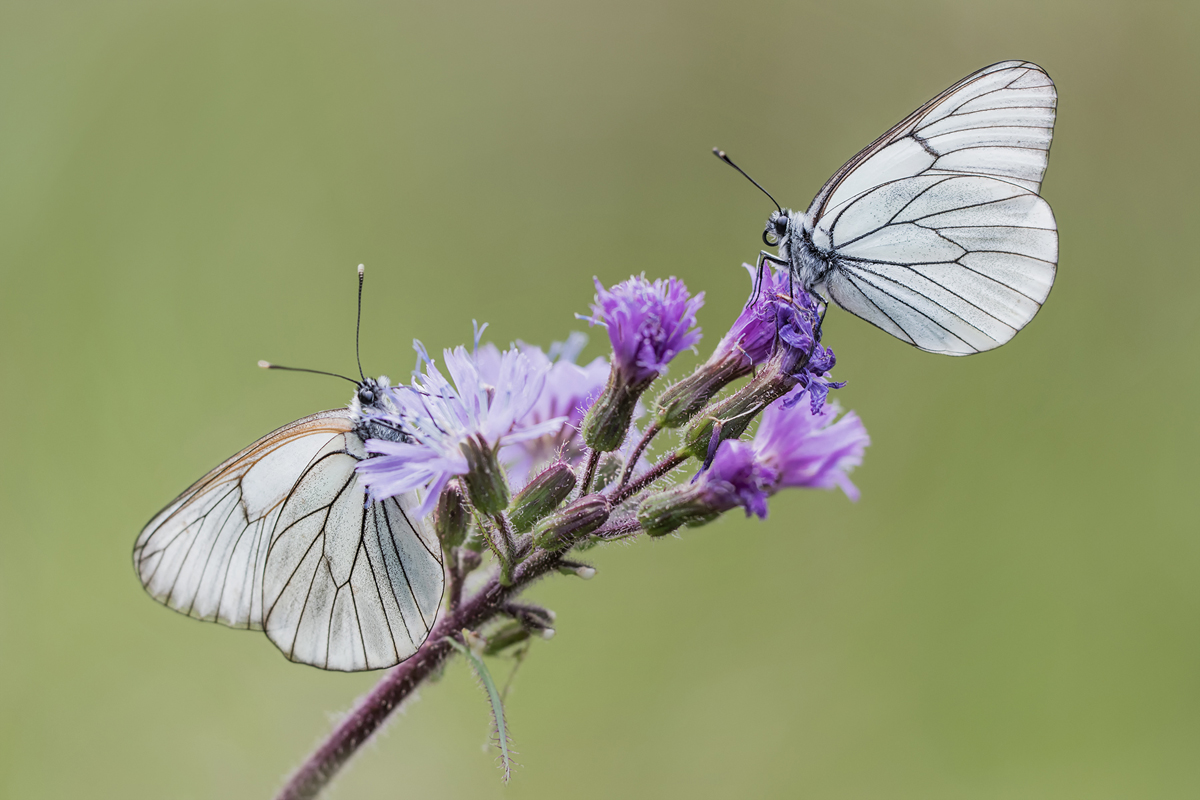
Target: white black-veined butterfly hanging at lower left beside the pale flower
281 539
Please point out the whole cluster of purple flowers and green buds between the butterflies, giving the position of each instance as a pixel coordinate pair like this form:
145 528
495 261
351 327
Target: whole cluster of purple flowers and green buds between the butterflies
488 423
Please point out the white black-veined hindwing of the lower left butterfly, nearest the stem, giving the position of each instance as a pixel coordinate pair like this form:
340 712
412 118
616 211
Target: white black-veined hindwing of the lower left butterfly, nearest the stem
350 587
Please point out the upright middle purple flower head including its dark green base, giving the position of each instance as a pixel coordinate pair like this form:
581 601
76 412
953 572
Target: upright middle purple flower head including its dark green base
649 323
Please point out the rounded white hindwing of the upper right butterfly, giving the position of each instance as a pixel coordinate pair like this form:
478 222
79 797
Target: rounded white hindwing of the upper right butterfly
953 264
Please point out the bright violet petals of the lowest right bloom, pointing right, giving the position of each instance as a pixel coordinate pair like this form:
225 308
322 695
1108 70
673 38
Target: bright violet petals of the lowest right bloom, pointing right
808 448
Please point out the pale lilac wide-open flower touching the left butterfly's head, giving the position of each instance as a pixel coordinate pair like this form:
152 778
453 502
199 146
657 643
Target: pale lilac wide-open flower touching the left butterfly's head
484 407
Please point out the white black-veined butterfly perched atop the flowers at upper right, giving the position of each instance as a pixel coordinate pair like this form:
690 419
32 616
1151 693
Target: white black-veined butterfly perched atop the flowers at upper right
935 232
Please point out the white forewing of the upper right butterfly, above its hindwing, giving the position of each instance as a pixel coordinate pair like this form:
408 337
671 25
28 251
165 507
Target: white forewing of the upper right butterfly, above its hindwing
997 123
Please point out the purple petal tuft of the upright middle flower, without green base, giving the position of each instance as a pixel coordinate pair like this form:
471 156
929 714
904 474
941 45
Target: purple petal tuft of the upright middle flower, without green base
649 324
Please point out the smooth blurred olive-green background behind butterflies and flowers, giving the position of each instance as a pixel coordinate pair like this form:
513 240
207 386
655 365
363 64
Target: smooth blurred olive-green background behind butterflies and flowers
1011 611
